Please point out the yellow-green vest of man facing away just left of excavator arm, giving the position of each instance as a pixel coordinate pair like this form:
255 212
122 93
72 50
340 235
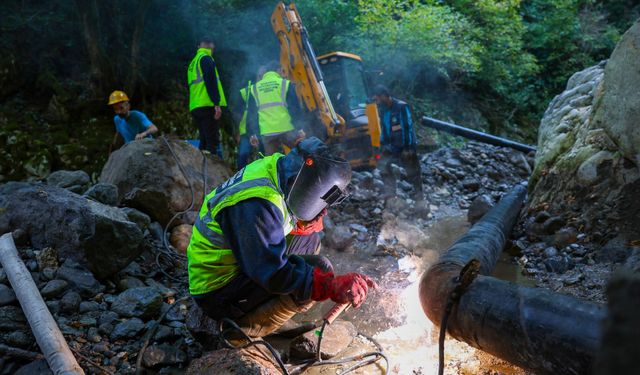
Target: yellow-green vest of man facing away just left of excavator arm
270 94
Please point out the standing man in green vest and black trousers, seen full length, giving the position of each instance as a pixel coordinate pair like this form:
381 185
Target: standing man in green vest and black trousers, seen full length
206 96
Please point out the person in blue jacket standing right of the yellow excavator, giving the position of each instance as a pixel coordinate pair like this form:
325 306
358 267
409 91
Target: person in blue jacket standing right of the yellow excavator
398 142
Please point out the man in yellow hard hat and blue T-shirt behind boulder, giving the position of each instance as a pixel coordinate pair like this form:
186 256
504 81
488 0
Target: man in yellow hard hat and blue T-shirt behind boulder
130 124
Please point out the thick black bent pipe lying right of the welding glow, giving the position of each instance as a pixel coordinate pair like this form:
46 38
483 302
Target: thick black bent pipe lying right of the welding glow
533 328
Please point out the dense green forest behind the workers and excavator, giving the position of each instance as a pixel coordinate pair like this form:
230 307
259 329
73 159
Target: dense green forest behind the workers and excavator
492 65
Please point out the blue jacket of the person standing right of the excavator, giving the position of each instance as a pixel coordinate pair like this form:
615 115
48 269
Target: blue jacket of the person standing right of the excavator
397 132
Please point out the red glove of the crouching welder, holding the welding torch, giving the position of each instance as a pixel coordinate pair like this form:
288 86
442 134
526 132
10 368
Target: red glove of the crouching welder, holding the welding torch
349 288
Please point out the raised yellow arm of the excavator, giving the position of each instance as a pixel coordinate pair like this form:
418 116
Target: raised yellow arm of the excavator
300 66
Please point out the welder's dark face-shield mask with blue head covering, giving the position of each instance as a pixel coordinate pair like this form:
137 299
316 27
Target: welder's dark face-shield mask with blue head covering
321 179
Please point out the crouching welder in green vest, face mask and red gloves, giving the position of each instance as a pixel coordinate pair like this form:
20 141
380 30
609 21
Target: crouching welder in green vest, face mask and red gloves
240 266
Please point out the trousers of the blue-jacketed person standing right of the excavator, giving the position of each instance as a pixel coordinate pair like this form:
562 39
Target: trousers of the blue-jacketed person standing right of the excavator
407 160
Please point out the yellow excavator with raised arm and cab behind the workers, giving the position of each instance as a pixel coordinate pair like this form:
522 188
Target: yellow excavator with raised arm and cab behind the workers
338 77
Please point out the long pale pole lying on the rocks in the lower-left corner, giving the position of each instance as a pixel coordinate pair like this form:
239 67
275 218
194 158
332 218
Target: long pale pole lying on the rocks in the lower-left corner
44 327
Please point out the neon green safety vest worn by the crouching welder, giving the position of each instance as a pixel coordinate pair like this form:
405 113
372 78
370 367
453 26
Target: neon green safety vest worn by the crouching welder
210 259
